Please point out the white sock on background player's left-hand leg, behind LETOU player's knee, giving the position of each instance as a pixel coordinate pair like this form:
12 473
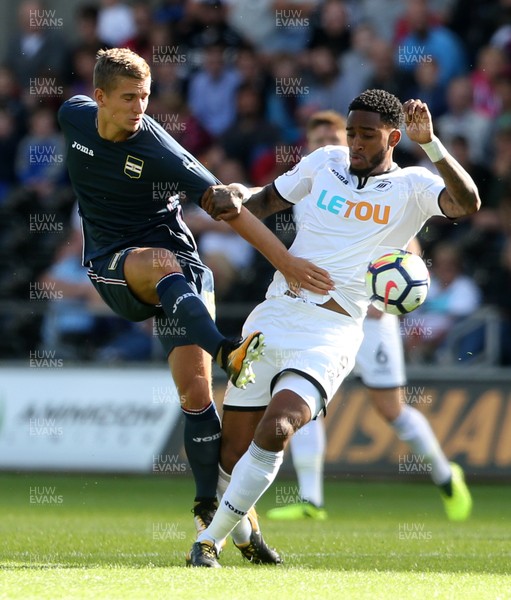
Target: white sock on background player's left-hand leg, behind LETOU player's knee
308 450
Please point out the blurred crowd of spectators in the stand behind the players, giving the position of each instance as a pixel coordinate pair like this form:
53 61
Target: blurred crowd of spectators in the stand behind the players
234 81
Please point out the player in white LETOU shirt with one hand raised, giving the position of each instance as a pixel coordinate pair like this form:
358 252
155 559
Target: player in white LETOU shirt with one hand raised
358 204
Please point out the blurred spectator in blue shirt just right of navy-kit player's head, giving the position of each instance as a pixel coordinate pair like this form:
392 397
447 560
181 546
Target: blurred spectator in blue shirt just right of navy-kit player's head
212 92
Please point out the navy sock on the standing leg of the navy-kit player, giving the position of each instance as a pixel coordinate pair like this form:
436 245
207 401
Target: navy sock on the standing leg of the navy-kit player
202 444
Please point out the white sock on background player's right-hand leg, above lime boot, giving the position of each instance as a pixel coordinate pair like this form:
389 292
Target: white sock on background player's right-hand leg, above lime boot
412 427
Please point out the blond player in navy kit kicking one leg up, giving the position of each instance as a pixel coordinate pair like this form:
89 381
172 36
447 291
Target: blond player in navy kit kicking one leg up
130 177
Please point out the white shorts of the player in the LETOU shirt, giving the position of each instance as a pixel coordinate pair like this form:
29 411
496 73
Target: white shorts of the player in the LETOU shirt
300 337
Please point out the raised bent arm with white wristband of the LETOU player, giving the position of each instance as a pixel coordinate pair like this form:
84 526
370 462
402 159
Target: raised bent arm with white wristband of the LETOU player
461 197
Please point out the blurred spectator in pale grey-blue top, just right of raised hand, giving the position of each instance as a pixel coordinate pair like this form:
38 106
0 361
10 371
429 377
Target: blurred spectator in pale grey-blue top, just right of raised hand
462 118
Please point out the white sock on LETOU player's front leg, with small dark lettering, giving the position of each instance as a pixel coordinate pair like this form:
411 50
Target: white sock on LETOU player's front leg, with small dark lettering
251 477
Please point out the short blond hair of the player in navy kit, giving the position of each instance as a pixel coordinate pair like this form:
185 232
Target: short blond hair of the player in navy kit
118 62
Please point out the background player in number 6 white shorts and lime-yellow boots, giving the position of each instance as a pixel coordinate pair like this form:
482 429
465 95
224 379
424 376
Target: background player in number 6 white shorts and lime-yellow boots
380 365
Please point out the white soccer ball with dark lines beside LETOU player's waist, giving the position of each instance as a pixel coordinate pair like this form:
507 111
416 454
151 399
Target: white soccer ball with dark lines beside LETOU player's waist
397 282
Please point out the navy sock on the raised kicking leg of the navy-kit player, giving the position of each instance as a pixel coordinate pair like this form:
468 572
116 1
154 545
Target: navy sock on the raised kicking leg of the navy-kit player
188 313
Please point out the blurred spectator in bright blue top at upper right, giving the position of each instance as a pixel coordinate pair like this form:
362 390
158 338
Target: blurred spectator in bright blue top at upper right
426 39
